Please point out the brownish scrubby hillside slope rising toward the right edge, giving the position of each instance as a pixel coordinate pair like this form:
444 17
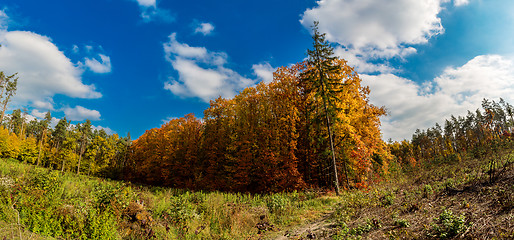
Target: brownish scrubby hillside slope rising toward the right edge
441 200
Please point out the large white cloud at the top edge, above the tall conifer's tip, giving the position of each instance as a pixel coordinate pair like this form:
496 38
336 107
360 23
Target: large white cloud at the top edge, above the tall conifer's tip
381 27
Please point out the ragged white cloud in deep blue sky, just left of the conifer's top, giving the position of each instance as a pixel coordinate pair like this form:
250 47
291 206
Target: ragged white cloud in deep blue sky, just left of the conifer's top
202 73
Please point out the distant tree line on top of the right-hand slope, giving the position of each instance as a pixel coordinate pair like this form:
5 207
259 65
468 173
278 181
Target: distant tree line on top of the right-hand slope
477 134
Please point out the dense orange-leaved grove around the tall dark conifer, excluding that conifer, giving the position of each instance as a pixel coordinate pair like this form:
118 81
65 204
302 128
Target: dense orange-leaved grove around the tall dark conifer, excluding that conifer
268 138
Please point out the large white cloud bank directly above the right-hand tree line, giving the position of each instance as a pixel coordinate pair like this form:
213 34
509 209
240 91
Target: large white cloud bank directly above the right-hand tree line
457 90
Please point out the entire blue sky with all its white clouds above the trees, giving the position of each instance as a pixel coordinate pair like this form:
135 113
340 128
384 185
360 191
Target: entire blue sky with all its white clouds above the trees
130 65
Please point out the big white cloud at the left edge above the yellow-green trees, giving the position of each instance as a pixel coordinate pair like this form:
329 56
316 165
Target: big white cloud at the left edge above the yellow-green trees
43 69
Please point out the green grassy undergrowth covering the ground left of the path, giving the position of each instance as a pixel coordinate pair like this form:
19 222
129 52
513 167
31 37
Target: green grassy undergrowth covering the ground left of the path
37 203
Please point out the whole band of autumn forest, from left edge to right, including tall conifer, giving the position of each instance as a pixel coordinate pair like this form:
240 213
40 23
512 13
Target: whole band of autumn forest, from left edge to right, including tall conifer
312 127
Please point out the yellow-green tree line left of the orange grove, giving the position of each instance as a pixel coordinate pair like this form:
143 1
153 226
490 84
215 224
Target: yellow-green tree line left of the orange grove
67 147
